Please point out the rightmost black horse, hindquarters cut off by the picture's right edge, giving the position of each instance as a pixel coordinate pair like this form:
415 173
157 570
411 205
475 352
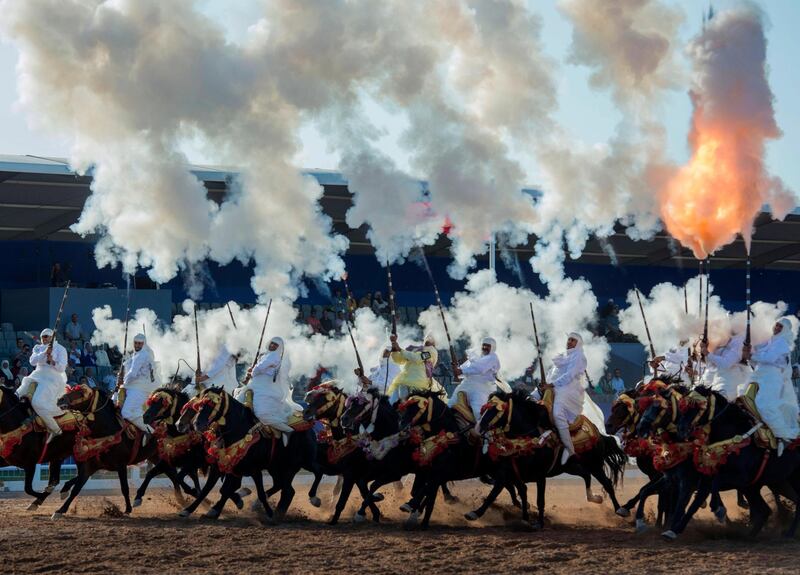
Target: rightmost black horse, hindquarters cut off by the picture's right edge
727 453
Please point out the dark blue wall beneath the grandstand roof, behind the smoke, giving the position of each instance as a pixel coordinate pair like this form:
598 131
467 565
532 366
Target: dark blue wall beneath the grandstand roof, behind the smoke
26 264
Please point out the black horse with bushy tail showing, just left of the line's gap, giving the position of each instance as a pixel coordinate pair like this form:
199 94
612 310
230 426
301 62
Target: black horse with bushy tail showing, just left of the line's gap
522 418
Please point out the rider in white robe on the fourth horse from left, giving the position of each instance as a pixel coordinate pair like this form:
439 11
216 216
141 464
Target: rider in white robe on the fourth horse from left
272 393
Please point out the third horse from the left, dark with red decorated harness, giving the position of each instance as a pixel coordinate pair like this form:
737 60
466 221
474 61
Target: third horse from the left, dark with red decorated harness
176 450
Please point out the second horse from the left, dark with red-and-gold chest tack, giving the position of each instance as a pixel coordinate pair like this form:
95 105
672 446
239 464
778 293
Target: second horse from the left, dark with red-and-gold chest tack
105 441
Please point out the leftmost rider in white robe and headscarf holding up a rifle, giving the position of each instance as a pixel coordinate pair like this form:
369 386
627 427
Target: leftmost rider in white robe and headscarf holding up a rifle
49 378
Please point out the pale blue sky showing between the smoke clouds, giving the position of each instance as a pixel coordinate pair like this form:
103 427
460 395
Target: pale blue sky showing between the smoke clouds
588 114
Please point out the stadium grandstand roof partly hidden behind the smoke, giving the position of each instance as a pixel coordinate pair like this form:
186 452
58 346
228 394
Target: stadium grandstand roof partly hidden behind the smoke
41 197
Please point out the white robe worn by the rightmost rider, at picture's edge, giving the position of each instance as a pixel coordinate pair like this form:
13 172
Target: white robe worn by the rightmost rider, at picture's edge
776 404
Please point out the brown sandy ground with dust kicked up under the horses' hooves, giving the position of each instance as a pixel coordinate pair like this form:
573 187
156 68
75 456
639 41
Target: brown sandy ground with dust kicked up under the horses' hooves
580 538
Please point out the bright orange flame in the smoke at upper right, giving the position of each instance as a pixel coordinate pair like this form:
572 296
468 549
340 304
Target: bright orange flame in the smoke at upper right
713 198
